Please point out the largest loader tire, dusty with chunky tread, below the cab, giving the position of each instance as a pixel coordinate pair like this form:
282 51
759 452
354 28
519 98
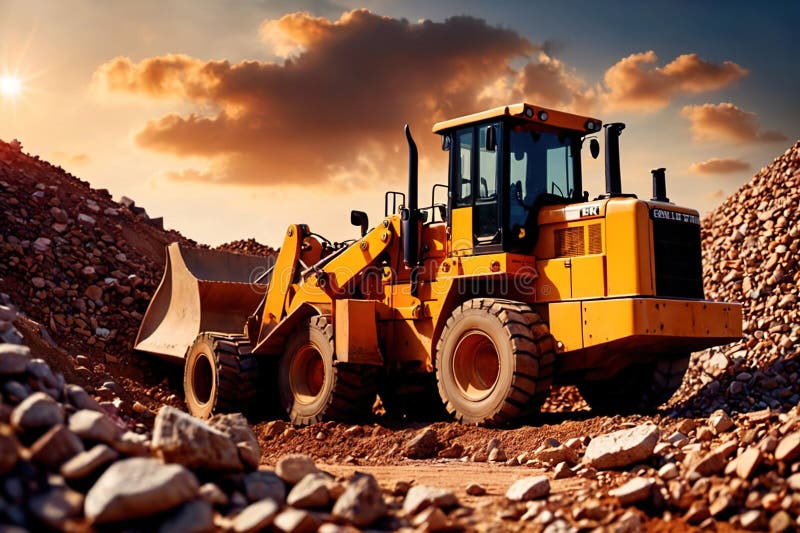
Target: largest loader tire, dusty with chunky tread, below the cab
494 362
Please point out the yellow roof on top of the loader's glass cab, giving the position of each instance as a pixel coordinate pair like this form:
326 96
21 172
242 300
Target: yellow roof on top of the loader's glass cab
526 112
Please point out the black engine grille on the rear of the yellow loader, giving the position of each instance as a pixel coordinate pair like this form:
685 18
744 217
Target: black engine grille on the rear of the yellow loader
678 259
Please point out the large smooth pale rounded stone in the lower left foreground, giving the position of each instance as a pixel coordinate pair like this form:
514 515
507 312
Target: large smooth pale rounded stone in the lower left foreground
138 487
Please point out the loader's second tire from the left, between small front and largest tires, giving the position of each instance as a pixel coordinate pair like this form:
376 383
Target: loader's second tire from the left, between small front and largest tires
313 388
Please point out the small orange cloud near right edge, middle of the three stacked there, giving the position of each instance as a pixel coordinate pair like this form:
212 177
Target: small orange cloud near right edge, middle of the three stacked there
726 122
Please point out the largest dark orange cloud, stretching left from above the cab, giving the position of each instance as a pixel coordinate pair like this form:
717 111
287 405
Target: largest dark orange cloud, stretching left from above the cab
333 109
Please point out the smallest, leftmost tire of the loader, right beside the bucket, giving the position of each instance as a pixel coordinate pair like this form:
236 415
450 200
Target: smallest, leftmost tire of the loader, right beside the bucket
220 375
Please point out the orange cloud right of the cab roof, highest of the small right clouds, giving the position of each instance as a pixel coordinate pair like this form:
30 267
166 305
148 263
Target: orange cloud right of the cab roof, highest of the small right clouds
634 83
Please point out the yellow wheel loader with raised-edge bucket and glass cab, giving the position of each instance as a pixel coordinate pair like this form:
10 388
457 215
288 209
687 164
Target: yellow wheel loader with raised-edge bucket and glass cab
476 305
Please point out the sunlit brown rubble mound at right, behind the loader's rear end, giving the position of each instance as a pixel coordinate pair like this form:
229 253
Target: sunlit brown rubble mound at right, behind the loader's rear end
750 255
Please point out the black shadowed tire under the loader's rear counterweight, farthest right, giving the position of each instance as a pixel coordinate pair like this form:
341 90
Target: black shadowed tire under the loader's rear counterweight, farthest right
637 388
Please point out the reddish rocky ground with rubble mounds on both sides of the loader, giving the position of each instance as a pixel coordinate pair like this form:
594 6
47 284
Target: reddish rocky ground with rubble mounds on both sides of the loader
80 412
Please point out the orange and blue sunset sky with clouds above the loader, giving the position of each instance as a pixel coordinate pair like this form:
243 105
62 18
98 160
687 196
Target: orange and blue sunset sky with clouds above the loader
232 119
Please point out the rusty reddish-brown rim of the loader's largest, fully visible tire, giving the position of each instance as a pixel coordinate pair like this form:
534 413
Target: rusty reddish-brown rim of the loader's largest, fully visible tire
476 365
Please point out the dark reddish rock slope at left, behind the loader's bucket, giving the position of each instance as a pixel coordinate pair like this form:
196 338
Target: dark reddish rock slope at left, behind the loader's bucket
82 265
